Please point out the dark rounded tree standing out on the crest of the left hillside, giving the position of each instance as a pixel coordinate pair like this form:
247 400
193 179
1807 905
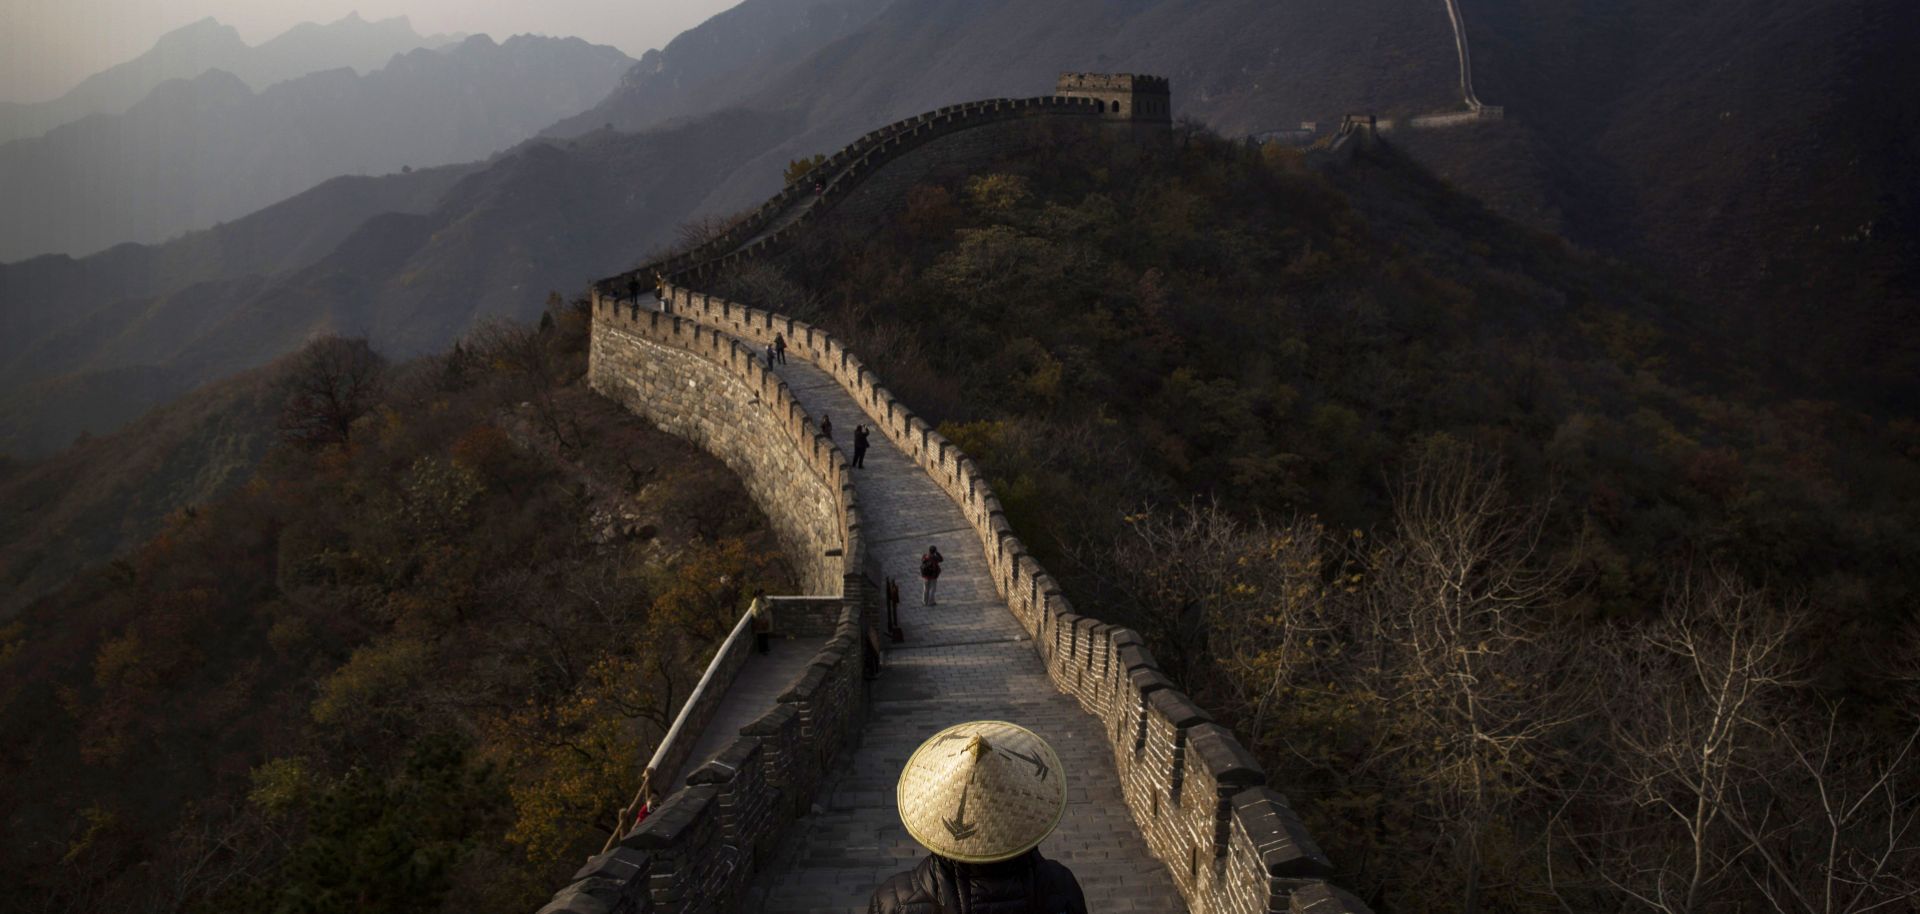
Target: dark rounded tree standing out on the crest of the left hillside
331 383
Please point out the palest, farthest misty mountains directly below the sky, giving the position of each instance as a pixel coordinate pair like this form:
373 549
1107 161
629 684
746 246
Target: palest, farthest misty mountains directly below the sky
210 149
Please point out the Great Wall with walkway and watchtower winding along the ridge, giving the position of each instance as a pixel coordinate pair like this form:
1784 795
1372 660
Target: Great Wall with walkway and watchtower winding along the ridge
773 790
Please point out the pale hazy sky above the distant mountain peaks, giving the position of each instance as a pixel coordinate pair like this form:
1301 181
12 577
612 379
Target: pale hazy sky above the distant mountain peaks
51 45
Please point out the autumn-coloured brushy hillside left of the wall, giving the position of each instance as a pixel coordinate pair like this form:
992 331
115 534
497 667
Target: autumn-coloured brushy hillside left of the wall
414 663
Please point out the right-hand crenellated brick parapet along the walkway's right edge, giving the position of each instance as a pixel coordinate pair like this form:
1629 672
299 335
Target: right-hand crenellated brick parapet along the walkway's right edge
1203 802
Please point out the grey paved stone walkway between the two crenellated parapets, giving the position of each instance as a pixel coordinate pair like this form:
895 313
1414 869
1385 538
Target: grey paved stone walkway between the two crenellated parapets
963 660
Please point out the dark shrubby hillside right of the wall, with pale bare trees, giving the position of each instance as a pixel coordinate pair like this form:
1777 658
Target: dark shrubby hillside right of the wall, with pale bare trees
1466 531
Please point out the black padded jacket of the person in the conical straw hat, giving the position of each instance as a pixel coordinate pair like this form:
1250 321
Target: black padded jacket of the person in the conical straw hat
1028 884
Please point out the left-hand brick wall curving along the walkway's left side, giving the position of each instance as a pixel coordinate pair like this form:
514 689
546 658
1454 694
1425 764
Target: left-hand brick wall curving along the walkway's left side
706 836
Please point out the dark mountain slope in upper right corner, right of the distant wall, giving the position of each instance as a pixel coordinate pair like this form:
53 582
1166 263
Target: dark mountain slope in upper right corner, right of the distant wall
1754 151
